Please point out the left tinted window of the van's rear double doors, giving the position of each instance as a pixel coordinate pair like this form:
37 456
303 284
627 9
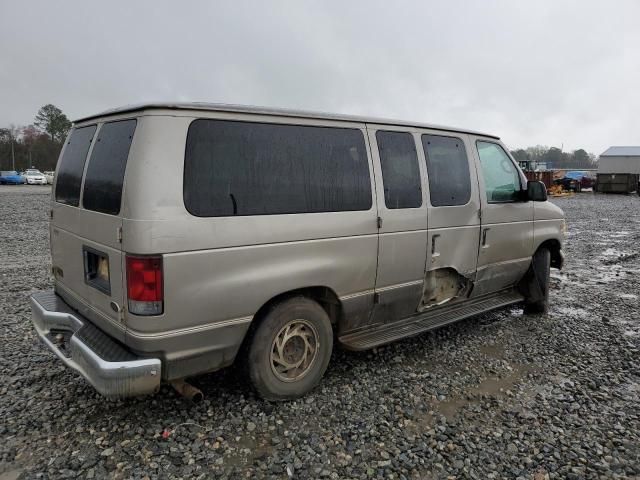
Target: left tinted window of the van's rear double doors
72 163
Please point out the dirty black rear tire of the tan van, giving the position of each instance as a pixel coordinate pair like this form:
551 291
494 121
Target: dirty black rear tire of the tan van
297 312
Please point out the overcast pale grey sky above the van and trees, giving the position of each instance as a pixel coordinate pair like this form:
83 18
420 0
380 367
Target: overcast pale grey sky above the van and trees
538 72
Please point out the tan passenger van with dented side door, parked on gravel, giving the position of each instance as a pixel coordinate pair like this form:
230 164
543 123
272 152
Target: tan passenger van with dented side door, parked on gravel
185 237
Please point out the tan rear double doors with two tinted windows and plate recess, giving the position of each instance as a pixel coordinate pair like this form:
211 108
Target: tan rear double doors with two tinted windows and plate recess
86 223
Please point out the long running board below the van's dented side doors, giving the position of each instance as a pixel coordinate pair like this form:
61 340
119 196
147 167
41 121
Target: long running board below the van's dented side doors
428 320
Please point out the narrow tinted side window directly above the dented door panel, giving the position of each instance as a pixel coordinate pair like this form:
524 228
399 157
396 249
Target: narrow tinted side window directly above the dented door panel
448 170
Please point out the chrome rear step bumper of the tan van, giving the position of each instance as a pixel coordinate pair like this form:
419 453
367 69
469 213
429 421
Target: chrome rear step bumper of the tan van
113 371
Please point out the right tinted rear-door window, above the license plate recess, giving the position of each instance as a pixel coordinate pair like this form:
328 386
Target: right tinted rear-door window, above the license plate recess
105 173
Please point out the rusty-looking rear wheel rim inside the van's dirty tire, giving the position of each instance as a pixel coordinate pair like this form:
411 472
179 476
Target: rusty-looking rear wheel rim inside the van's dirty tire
294 350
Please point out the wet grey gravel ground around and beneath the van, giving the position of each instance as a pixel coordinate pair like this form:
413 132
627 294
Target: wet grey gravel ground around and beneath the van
501 395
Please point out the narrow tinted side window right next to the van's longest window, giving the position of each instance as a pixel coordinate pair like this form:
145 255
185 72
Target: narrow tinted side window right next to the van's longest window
400 170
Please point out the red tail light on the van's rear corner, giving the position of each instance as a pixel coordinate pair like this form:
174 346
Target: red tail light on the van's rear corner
145 294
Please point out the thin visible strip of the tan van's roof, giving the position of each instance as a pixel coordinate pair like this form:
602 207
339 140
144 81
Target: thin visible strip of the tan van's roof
221 107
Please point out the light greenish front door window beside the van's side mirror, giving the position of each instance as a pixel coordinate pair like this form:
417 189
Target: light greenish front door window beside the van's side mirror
501 177
